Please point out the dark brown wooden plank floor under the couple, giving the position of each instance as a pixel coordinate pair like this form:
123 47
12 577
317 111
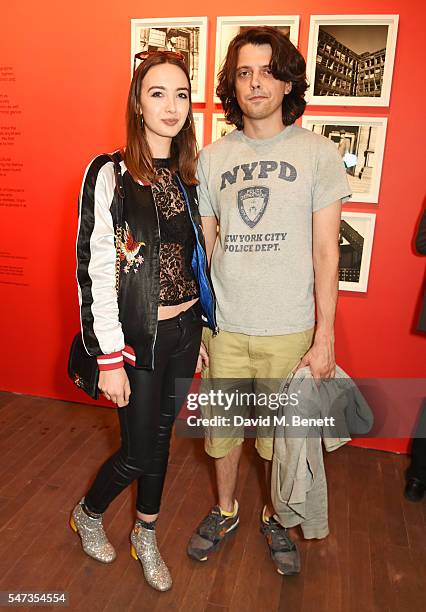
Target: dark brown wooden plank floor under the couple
374 558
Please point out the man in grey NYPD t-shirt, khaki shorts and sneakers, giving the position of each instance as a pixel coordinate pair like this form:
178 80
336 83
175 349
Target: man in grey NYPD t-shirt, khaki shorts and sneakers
275 191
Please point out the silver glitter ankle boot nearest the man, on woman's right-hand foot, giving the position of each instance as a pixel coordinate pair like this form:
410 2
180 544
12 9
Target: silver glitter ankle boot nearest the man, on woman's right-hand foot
144 548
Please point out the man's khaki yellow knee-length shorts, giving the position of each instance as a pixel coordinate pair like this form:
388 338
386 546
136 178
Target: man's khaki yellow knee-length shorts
261 361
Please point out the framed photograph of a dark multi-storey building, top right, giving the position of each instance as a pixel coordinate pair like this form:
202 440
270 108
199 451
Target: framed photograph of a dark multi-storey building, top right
350 59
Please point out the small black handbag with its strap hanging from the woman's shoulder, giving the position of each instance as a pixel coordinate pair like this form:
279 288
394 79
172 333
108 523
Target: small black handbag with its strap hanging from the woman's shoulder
83 368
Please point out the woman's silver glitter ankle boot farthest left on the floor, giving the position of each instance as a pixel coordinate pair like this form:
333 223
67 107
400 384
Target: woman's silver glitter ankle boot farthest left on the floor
92 534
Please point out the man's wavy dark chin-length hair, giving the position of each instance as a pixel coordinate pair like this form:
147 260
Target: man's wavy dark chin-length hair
287 64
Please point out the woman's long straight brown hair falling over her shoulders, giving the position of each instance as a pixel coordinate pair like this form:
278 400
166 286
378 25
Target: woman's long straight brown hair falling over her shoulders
137 155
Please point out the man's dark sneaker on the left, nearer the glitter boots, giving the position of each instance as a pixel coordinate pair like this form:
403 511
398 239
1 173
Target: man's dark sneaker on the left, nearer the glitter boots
211 532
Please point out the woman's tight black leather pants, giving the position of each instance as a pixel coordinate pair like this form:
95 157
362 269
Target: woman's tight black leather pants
146 422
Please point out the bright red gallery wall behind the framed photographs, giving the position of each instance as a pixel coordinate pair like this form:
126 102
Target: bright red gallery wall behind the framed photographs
64 76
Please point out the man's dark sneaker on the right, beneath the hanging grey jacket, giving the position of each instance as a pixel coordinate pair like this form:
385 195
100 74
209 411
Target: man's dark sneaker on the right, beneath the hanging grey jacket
284 552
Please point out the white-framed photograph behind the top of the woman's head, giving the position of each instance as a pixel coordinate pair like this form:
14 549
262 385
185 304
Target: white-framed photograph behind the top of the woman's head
188 35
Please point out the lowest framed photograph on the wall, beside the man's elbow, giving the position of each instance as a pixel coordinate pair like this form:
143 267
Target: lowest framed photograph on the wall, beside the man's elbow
356 243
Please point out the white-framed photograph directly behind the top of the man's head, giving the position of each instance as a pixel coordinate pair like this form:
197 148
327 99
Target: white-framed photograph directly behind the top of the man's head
228 27
